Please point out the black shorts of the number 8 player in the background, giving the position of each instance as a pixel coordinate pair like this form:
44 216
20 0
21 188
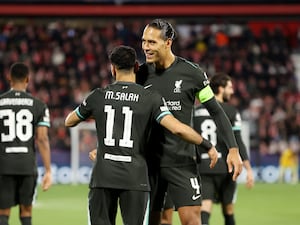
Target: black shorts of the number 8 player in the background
219 188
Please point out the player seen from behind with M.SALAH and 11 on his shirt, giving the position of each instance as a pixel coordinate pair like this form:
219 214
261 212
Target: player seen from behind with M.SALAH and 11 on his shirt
124 113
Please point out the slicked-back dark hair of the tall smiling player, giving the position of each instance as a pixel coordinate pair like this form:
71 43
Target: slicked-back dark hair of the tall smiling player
167 30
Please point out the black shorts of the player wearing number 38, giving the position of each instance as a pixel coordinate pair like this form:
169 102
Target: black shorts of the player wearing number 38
17 190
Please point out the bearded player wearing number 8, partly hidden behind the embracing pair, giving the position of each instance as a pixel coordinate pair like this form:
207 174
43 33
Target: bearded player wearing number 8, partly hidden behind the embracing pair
217 184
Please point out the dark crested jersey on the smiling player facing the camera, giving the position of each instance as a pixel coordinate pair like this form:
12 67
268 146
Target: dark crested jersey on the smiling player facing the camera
179 85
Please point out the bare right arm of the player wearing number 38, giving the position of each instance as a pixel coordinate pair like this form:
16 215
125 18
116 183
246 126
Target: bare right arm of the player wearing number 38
42 141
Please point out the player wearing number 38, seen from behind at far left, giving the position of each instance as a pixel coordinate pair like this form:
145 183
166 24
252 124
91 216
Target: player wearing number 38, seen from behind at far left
23 120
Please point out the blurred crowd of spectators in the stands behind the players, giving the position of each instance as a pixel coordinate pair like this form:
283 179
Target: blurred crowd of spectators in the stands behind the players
68 60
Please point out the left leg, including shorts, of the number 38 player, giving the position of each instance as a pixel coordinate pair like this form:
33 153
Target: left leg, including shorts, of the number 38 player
7 197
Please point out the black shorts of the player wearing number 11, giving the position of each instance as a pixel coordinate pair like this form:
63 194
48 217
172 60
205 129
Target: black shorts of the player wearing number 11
103 206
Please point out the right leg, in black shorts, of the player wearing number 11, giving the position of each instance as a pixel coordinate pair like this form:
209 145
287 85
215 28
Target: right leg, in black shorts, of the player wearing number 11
134 206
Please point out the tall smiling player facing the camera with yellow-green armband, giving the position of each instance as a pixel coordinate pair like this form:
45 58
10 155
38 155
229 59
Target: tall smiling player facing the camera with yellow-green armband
179 81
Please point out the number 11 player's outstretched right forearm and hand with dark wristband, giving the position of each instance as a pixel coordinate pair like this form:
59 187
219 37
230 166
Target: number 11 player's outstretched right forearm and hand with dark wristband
189 134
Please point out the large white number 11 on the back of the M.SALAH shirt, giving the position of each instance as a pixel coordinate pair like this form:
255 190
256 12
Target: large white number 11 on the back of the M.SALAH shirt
125 141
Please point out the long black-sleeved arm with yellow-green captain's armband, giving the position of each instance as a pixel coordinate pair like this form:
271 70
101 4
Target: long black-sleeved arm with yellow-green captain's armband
234 162
